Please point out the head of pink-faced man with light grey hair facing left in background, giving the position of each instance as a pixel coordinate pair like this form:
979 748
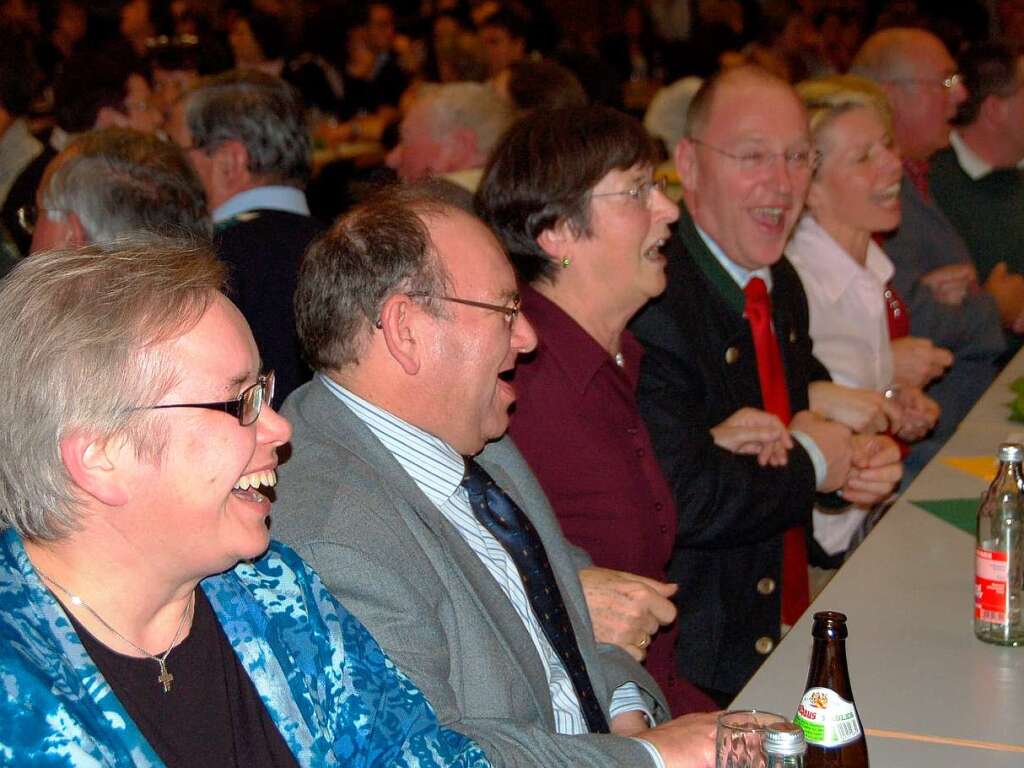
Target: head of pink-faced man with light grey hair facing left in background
450 132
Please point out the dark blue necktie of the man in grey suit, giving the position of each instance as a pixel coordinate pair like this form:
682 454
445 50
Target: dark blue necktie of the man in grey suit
499 515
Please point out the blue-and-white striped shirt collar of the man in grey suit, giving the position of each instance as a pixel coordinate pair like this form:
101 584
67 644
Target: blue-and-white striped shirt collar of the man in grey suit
436 467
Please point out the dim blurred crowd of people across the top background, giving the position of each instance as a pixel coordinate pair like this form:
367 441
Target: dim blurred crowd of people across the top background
360 67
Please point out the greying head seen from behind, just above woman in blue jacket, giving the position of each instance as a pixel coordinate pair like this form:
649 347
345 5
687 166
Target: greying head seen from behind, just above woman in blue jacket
117 182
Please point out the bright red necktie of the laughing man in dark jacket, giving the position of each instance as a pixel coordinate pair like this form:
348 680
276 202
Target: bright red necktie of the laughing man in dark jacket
796 592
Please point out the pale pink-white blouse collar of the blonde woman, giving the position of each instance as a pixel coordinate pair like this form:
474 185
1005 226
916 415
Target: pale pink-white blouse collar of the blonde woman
833 269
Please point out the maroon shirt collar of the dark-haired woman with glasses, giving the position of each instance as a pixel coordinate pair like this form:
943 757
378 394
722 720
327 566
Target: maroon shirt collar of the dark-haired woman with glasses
576 351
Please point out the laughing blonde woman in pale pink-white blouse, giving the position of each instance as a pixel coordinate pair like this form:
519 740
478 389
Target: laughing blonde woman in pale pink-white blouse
854 195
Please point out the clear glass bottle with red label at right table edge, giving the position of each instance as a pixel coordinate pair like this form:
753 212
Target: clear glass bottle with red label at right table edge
999 573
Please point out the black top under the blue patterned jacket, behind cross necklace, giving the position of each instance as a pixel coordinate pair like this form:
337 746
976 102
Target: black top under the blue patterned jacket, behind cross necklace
212 716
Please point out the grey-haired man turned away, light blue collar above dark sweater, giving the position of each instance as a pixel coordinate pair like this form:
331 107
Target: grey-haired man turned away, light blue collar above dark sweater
245 135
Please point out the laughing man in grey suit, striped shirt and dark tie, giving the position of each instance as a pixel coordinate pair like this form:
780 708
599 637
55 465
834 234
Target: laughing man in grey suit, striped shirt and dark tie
408 309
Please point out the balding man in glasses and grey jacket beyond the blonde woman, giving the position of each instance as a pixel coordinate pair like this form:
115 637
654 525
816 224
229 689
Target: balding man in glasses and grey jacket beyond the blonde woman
935 274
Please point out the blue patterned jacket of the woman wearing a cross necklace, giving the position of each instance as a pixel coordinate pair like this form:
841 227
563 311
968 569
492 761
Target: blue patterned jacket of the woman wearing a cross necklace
336 699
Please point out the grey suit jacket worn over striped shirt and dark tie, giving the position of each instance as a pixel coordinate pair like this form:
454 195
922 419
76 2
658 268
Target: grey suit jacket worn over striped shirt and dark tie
394 561
